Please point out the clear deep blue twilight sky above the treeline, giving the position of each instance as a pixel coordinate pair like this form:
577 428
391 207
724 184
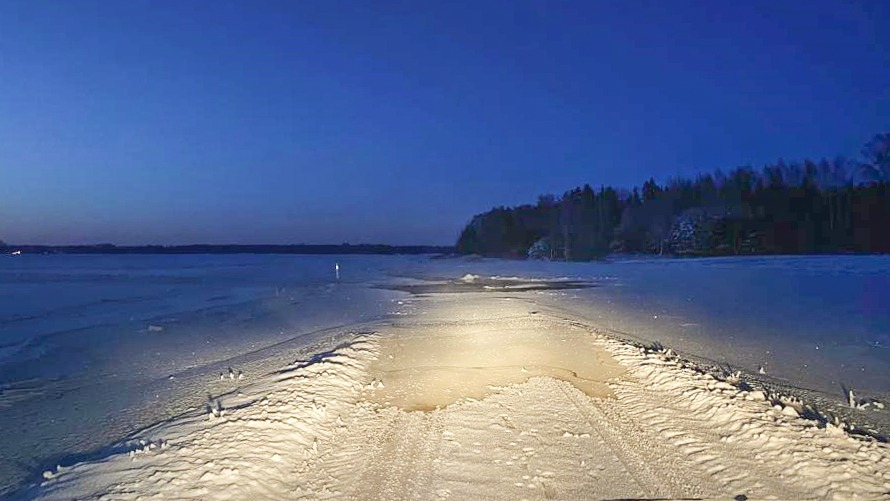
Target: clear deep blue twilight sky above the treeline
322 121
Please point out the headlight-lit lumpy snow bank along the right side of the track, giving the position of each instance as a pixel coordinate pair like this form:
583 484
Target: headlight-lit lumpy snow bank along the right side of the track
727 430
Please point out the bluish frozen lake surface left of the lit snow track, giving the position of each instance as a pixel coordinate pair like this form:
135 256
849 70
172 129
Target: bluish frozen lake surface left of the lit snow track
99 346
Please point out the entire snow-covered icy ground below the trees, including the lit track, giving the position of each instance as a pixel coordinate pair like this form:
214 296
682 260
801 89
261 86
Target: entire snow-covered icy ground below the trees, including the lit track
264 377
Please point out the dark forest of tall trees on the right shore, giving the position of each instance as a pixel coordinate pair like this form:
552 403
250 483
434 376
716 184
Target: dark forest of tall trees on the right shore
829 206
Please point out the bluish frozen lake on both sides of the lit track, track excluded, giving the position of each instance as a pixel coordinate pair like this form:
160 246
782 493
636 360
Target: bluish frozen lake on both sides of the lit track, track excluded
94 347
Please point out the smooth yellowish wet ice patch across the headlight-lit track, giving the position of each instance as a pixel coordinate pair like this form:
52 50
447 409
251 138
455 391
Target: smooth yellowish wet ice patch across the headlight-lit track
431 366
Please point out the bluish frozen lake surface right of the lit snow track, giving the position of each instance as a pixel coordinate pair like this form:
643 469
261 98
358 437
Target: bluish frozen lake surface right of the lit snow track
817 322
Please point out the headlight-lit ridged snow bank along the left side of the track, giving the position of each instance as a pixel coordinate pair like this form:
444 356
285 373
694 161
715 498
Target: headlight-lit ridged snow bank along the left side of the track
243 445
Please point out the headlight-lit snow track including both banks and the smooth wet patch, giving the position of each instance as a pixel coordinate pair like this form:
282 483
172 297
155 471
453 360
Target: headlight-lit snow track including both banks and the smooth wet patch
479 395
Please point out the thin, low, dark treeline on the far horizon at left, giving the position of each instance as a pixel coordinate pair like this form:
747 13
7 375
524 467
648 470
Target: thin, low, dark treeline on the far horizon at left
230 249
